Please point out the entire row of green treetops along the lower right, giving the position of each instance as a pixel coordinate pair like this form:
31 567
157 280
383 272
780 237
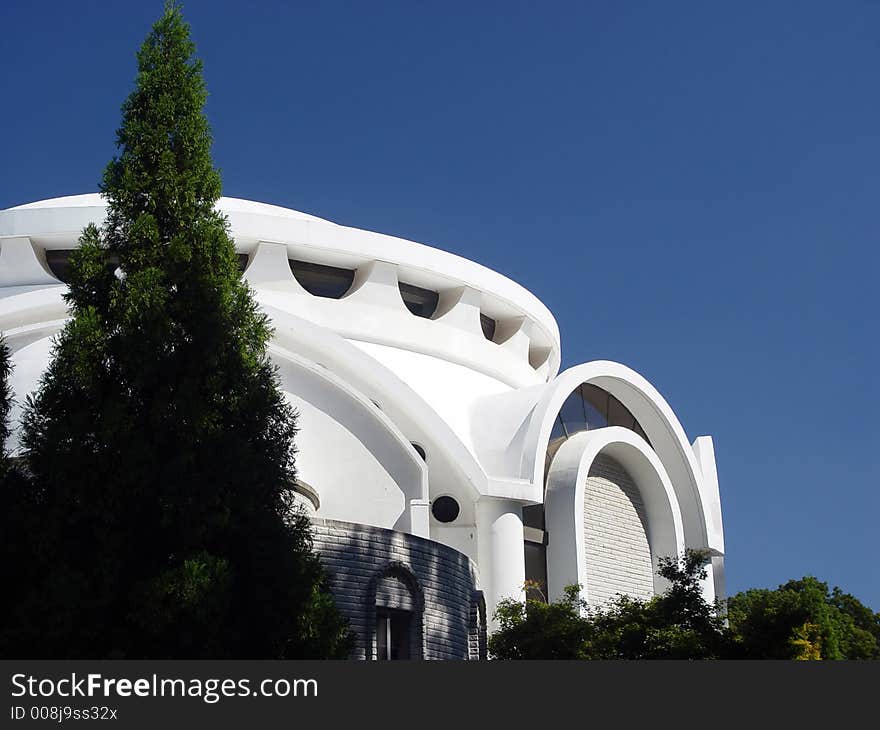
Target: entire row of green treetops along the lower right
801 619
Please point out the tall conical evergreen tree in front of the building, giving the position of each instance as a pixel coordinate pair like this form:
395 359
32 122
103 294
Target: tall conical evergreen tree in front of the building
159 436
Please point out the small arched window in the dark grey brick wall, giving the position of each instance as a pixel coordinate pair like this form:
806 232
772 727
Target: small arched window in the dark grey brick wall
398 604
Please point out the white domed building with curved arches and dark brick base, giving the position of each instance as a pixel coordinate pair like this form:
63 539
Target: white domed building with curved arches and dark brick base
444 458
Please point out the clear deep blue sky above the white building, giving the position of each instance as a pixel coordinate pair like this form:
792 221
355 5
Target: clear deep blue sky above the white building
692 188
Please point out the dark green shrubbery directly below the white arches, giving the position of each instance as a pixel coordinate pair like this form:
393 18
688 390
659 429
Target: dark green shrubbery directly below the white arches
678 624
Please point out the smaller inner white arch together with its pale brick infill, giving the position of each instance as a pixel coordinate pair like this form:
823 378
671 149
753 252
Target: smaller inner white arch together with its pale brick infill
611 512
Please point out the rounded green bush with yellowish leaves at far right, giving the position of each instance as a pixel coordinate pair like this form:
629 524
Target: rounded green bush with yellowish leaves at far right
803 619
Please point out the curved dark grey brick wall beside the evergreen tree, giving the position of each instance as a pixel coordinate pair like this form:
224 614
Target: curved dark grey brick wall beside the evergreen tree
369 563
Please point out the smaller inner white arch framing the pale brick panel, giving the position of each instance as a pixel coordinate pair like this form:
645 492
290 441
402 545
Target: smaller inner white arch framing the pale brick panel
564 505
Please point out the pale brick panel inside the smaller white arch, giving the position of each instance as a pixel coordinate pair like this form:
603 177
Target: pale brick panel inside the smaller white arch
618 558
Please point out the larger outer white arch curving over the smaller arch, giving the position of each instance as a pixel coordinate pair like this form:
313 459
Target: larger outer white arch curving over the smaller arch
657 419
